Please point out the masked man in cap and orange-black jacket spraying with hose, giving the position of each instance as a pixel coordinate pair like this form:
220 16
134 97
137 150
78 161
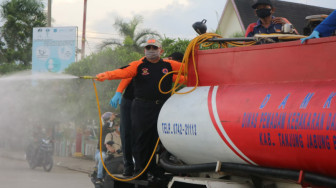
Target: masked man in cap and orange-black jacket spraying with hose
148 100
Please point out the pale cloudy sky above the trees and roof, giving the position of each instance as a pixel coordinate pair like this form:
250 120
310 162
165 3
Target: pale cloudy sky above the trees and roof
171 18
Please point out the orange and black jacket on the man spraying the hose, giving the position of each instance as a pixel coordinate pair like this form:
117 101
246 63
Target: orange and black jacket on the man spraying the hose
146 77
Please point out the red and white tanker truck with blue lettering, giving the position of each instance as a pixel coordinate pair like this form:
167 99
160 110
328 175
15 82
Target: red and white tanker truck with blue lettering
260 116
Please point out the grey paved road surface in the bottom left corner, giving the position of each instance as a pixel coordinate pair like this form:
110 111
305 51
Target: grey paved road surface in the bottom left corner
17 174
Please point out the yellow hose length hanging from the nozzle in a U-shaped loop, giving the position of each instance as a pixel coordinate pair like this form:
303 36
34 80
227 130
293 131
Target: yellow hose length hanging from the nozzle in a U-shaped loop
100 139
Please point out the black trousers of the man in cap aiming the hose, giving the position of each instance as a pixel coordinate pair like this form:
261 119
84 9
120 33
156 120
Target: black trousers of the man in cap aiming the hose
144 132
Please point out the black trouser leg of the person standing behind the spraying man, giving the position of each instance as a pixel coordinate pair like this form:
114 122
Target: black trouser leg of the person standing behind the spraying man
126 133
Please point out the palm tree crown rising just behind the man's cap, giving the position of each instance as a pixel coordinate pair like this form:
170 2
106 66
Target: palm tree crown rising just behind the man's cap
133 39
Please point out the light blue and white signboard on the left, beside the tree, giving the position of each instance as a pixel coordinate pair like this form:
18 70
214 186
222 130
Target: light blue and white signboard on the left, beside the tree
54 48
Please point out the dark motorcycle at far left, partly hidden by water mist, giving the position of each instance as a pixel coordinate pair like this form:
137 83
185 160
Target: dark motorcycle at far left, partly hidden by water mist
42 155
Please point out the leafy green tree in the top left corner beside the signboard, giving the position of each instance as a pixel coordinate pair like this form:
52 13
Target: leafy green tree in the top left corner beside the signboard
20 16
